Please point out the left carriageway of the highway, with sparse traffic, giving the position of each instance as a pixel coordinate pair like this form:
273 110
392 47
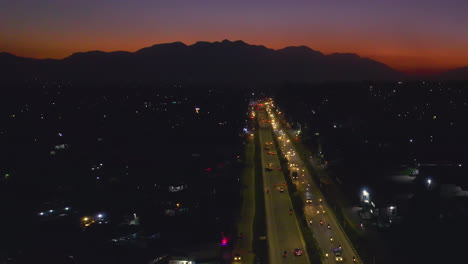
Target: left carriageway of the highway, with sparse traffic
283 231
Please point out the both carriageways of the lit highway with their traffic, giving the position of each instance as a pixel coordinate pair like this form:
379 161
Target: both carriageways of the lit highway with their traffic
285 239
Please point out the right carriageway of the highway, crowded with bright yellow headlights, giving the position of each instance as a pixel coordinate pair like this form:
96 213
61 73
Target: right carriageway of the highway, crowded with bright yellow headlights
318 210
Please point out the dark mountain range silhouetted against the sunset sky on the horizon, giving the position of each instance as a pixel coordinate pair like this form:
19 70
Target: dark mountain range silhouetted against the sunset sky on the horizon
225 62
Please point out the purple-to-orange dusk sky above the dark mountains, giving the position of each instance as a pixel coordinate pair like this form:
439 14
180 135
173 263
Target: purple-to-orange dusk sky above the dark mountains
415 36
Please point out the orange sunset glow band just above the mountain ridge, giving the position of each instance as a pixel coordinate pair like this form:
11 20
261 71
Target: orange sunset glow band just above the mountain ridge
410 64
